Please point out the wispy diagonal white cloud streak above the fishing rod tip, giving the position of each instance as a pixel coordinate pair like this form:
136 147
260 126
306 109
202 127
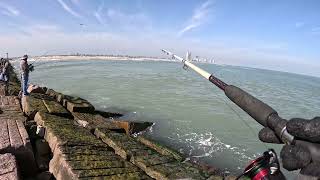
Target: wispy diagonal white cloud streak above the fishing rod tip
200 15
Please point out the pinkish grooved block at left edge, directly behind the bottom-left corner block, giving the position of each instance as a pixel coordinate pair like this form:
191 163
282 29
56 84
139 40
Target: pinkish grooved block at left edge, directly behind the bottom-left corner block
14 139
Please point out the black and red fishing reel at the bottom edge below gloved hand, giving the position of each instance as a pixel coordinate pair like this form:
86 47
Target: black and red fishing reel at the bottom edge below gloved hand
263 167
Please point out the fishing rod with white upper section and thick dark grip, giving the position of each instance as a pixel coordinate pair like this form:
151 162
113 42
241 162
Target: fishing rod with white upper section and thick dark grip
258 110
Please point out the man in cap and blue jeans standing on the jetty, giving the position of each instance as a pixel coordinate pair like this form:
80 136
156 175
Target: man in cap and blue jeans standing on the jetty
24 69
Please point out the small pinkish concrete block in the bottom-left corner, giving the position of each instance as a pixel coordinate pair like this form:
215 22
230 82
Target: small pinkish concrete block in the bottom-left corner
8 167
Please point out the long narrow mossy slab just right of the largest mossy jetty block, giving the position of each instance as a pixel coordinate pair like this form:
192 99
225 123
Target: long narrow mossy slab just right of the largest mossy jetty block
154 164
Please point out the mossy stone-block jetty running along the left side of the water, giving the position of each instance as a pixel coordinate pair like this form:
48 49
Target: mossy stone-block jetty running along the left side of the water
50 135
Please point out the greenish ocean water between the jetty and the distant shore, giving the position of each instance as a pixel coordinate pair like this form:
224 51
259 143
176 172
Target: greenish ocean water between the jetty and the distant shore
191 115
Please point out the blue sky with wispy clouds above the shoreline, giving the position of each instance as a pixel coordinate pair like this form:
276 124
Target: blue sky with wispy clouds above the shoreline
279 35
